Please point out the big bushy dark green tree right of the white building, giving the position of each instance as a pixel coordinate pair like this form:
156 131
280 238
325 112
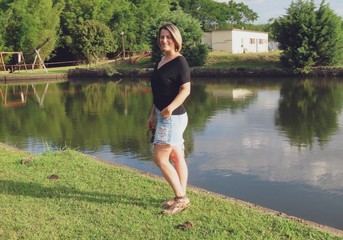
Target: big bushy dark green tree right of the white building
308 37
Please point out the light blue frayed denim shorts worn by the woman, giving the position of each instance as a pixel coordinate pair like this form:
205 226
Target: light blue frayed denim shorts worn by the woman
170 131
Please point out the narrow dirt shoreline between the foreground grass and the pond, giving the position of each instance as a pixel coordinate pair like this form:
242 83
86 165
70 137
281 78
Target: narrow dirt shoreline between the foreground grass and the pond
331 230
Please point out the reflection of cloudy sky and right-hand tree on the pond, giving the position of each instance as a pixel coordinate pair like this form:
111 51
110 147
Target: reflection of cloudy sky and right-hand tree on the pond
245 142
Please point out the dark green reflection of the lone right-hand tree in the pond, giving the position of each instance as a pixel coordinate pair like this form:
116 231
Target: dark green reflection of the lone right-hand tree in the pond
309 111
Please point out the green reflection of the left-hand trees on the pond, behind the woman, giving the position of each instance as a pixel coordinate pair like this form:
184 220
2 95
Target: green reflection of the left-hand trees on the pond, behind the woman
90 116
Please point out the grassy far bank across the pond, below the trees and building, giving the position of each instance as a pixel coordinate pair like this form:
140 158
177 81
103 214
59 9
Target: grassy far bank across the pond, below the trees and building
217 63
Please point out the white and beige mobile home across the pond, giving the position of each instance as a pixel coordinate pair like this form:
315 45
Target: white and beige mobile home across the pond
236 41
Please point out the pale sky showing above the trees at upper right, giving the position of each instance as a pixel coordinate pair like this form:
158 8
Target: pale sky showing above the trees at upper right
267 9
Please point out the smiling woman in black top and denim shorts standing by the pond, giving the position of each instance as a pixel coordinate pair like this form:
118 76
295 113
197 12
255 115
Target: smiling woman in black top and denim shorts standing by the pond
170 83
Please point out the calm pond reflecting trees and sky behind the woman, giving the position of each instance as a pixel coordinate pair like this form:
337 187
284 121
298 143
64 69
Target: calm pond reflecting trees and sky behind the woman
275 143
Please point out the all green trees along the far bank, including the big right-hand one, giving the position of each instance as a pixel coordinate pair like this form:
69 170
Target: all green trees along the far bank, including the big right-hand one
93 30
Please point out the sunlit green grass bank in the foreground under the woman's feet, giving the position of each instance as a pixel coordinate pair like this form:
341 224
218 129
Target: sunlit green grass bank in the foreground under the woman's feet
67 195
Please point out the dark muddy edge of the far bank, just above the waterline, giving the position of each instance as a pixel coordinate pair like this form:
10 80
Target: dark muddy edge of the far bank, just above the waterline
327 72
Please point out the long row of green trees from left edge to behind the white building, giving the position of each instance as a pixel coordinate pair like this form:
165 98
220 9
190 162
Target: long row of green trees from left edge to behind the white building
90 29
